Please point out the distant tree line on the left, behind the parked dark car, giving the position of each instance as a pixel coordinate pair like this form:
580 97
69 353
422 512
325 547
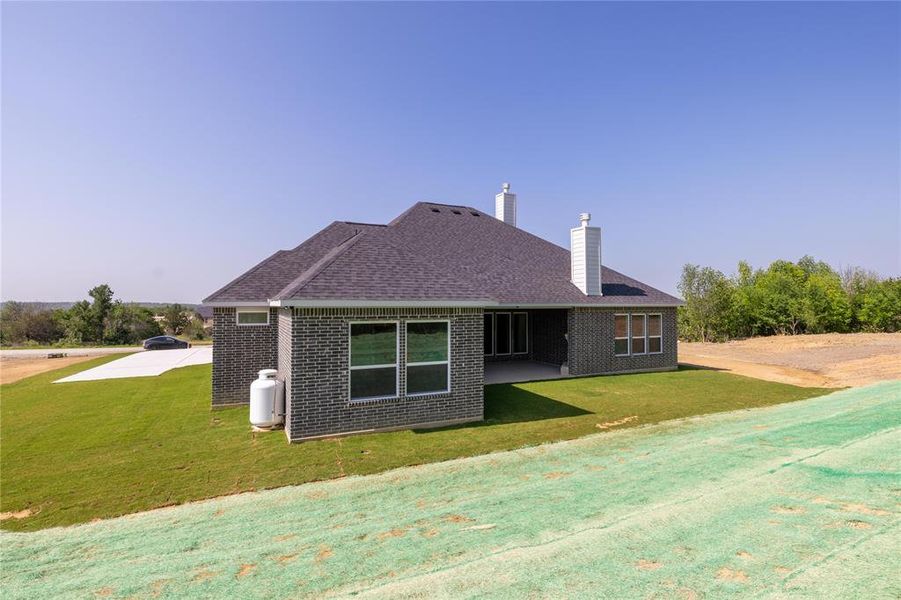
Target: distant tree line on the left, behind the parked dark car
102 320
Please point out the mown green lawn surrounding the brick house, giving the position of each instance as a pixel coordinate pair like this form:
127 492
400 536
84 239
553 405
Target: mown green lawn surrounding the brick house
79 451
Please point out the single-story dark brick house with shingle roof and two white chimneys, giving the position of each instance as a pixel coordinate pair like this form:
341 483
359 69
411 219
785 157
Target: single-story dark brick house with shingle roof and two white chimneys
375 327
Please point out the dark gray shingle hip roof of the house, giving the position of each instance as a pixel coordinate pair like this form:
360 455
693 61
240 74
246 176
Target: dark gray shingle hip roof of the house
431 252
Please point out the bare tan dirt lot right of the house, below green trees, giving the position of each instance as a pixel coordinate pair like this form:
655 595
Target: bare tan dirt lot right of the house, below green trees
826 360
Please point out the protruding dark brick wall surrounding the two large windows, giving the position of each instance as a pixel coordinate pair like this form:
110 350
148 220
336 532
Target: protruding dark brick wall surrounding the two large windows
319 398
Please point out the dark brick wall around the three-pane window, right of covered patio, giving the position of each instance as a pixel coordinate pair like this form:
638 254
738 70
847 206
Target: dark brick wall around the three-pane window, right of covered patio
591 342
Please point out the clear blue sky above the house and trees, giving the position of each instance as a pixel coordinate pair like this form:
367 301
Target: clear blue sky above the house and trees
164 148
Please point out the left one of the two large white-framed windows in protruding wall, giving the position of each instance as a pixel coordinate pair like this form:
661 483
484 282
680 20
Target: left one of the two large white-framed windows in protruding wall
373 360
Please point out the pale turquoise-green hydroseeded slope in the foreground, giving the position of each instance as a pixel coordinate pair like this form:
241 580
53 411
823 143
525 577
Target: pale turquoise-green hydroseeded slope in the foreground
798 500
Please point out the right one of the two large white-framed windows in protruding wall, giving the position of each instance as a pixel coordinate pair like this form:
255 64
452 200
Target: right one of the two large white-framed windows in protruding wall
428 357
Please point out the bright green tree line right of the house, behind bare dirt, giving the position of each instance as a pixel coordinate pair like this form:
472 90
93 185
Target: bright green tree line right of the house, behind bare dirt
787 298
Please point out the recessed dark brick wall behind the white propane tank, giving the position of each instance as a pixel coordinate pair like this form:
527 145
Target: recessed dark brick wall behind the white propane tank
239 352
